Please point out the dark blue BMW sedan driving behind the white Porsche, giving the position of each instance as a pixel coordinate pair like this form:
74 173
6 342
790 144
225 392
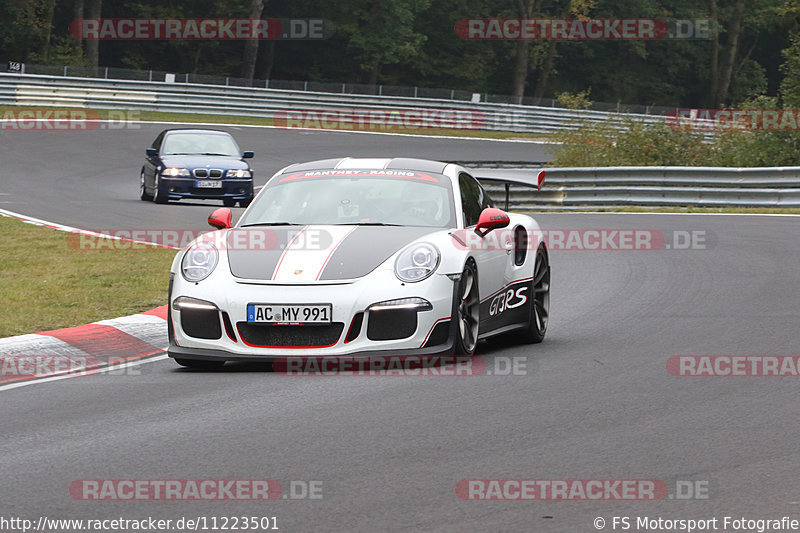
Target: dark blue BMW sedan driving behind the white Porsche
196 163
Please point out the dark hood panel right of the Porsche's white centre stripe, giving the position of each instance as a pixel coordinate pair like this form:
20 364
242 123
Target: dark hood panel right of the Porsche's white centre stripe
367 247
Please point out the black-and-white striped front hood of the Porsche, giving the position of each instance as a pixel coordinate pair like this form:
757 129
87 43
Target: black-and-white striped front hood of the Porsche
303 254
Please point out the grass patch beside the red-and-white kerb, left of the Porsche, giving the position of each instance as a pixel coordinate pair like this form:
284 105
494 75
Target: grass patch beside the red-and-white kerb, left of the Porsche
48 284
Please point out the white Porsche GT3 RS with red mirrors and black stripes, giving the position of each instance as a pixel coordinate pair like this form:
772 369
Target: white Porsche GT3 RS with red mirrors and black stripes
359 257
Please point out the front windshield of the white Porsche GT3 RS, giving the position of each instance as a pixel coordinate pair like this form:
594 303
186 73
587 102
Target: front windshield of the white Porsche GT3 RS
360 197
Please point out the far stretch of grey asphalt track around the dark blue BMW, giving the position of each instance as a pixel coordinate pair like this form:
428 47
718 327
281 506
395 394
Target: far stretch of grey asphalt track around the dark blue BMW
90 179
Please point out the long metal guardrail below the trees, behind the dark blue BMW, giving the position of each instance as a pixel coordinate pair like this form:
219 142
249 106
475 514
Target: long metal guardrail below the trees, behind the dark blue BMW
39 90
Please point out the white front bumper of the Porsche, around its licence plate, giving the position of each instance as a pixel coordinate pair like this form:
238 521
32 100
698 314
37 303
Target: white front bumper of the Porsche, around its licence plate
354 330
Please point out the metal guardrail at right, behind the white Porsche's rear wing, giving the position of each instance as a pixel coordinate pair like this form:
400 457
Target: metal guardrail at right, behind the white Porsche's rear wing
571 188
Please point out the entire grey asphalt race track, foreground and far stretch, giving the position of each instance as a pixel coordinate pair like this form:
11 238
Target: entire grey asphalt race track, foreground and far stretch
594 401
